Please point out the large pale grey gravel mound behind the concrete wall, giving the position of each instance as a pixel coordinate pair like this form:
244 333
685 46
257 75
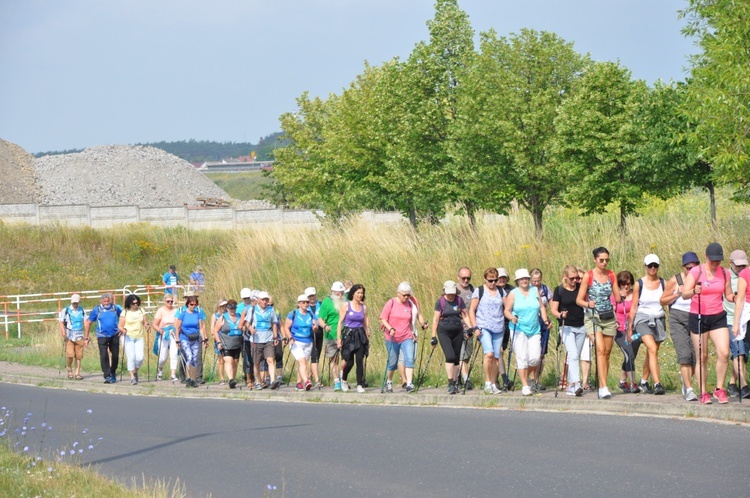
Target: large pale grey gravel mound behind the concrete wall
122 175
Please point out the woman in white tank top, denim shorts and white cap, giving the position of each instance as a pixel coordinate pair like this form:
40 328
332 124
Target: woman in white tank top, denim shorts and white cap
647 318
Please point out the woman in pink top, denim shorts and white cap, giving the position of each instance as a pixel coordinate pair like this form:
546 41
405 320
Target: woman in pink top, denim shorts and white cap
397 319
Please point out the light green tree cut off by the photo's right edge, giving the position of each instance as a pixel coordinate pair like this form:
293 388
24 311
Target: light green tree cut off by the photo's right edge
718 97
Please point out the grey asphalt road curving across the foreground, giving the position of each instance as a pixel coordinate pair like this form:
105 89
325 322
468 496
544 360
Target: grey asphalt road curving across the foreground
239 448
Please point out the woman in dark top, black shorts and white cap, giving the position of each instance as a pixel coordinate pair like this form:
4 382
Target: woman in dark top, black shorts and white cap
448 326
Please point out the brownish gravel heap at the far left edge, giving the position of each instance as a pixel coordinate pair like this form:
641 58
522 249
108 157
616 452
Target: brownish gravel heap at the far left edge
18 185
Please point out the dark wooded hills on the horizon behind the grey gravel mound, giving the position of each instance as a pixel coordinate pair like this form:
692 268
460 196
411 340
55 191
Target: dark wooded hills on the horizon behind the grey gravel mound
204 150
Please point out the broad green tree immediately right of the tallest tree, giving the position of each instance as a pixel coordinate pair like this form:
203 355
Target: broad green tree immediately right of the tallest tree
517 87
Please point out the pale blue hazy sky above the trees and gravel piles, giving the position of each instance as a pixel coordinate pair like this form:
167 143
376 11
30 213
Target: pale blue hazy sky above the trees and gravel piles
79 73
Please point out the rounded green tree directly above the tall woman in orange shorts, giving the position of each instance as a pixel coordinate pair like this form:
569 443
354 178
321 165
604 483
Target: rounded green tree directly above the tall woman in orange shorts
598 140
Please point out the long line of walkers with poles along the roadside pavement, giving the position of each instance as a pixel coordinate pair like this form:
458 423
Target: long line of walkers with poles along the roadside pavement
594 309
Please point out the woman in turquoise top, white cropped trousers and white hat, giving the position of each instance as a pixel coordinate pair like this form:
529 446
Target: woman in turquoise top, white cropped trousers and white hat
523 307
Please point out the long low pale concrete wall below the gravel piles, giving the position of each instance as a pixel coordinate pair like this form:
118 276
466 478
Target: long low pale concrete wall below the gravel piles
108 216
